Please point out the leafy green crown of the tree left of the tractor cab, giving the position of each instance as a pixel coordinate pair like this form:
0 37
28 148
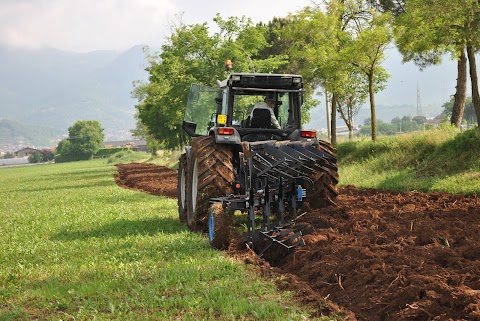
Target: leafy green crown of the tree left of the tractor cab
192 54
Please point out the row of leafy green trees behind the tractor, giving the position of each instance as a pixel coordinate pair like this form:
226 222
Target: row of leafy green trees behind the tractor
337 45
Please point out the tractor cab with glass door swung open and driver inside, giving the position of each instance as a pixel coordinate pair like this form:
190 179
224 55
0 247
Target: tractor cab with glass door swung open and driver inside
246 107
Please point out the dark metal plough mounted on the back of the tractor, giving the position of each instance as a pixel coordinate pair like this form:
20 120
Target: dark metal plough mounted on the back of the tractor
279 176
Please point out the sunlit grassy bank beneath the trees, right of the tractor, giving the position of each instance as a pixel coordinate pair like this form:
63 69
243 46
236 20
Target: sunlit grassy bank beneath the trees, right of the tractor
441 159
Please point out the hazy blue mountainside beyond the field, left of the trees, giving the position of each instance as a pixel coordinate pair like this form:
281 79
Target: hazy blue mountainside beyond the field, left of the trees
52 88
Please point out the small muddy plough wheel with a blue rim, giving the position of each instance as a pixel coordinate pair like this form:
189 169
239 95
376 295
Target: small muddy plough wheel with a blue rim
220 223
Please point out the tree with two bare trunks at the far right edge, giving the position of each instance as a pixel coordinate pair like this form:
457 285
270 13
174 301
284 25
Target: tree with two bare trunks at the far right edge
430 28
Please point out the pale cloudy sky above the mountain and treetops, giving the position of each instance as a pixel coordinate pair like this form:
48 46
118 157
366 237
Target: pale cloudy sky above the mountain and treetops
88 25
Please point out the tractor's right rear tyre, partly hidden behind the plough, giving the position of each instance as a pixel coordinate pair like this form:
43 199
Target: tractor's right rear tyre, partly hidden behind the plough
325 191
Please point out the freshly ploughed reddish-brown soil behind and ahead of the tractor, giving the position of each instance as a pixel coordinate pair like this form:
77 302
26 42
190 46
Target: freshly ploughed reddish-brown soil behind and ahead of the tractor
381 255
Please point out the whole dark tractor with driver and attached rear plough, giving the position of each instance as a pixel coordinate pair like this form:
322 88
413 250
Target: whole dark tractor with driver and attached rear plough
253 161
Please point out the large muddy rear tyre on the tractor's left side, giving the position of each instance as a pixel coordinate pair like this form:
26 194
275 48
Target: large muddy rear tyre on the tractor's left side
210 174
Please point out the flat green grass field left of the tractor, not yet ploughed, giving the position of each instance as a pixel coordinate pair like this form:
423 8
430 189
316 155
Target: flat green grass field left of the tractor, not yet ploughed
74 246
